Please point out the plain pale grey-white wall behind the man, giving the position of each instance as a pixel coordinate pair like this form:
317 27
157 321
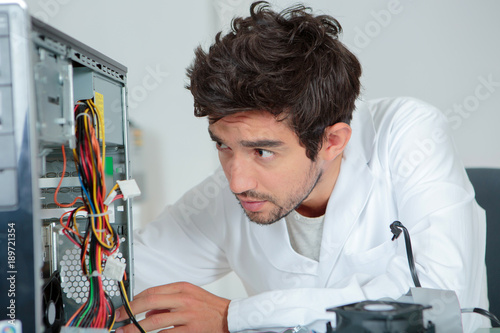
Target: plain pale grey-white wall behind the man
439 51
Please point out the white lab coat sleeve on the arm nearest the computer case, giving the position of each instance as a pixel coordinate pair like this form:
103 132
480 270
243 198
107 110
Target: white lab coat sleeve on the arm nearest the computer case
184 243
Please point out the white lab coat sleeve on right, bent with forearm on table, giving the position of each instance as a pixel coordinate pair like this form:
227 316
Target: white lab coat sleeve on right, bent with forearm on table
435 202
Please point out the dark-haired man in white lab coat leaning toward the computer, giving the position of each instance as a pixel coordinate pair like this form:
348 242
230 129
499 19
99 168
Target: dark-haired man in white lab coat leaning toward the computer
303 212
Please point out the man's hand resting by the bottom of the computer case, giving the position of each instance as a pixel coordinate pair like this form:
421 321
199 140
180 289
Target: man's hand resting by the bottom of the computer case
183 305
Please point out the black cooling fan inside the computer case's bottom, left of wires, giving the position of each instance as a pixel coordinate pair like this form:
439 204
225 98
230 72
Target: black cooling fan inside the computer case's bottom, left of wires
53 308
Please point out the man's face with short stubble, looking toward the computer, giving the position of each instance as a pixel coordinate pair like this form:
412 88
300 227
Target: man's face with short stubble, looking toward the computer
266 167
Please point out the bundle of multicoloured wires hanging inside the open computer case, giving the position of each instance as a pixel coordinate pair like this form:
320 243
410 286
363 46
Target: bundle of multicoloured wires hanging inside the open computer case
99 241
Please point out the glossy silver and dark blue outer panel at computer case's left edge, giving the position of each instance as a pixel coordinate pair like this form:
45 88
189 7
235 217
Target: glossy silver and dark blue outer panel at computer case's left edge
20 256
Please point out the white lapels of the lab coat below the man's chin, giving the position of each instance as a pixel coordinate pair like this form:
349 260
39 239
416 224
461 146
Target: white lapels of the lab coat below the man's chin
346 202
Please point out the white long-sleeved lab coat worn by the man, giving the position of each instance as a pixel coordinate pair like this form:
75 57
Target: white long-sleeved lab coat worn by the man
400 164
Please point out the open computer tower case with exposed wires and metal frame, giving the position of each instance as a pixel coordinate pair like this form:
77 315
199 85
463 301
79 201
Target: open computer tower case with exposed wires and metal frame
47 82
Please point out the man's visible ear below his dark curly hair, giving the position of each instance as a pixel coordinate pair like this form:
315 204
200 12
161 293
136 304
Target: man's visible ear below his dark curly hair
335 140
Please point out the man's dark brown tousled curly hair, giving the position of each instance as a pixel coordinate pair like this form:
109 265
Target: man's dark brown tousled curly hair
290 64
